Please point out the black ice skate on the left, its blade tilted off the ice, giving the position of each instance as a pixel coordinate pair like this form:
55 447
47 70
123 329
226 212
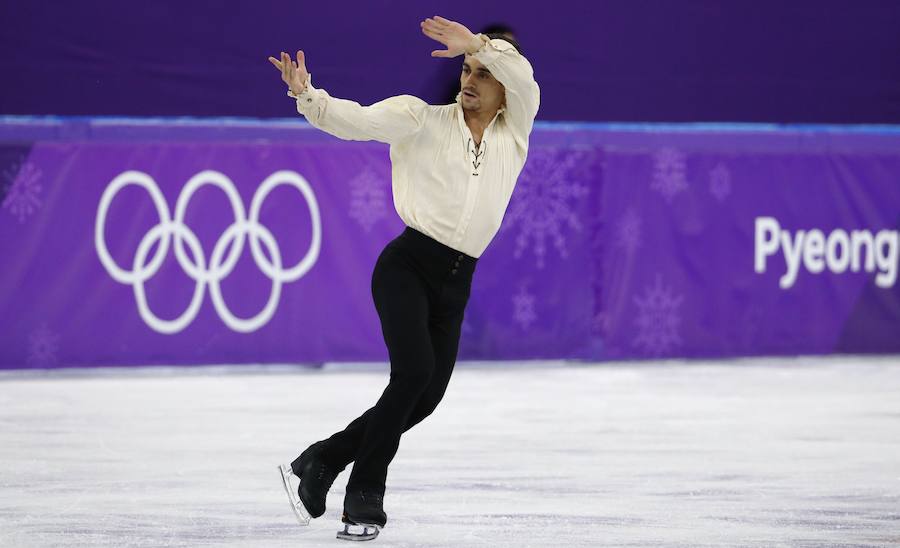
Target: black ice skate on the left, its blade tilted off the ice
314 478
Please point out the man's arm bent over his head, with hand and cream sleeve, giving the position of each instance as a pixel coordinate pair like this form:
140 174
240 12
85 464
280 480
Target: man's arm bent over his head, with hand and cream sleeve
500 57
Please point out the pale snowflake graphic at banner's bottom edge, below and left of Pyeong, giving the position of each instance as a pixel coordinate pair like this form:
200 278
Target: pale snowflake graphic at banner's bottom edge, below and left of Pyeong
658 320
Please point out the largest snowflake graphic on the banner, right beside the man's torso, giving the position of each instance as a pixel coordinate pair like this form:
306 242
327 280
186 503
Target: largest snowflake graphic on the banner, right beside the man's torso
546 200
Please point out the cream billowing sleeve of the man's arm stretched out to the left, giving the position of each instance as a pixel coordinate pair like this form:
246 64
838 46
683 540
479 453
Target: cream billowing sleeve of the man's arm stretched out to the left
388 121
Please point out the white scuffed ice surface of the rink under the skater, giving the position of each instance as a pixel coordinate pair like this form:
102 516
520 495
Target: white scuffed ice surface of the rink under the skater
778 452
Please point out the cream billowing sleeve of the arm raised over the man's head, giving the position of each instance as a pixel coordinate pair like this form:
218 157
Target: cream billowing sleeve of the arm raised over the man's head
523 96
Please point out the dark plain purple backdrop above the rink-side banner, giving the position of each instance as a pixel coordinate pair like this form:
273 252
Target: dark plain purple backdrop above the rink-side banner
648 60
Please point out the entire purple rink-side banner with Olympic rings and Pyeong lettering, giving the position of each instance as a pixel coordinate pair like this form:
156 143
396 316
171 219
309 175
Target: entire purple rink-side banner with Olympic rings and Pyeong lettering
172 242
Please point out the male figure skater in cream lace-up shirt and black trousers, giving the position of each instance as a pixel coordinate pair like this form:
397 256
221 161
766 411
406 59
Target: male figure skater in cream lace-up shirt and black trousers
454 168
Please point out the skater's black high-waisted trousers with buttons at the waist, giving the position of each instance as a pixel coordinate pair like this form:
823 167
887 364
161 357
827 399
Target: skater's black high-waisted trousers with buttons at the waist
420 287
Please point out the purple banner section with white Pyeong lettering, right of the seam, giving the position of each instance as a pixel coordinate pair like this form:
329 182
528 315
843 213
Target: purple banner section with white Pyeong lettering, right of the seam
723 244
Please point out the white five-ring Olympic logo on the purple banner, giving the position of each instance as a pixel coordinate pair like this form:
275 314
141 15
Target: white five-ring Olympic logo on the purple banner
220 265
